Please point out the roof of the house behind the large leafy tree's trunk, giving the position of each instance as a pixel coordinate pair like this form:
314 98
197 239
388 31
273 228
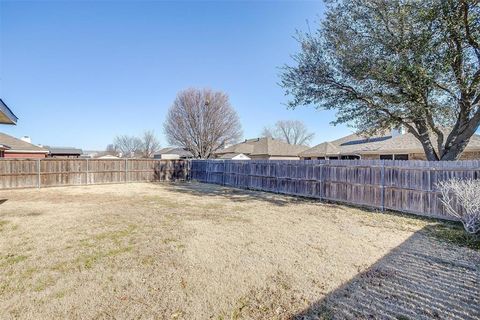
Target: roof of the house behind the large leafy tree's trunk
357 145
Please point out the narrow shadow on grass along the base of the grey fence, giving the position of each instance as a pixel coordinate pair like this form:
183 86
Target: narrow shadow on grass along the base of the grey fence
238 195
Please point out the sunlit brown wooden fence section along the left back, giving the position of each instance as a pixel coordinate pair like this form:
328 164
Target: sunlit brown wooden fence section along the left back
38 173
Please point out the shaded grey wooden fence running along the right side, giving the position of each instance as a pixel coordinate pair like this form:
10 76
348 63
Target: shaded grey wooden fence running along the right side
406 186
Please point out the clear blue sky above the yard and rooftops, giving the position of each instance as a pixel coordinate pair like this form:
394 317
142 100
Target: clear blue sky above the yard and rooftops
79 73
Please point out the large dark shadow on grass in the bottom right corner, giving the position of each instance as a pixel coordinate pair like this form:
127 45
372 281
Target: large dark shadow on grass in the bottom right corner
423 278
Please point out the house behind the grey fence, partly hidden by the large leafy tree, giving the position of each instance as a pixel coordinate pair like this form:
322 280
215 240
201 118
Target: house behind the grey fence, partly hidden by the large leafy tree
395 146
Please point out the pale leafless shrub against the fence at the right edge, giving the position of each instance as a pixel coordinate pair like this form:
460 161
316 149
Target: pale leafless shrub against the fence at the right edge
463 193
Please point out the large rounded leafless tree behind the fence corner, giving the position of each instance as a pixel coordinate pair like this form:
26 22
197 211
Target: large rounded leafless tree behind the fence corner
202 121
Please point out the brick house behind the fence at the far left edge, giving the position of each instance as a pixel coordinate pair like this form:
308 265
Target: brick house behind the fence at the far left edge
15 148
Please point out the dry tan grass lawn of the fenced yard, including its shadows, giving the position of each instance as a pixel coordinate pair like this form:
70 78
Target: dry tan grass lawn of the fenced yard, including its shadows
199 251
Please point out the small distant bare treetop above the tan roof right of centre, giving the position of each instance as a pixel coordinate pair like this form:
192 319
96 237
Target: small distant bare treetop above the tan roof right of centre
290 131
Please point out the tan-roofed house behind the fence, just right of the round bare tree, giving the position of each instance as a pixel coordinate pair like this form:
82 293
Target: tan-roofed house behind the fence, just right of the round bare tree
263 149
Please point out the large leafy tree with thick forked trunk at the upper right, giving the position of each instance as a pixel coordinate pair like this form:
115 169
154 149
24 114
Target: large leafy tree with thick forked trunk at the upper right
391 63
